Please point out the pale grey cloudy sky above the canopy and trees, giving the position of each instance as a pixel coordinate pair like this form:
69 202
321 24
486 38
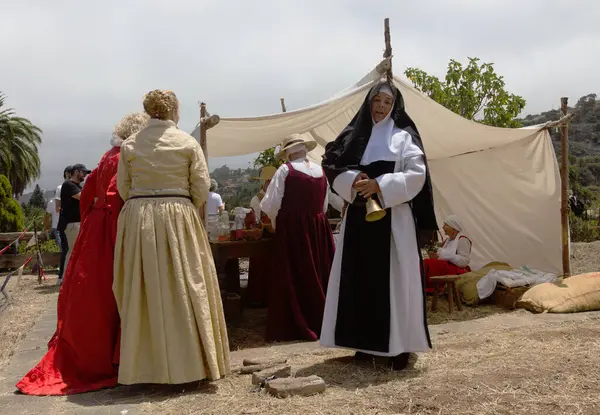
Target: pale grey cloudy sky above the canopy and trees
76 67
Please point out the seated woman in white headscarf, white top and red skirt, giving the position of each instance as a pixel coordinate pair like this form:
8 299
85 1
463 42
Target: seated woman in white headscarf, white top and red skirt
453 257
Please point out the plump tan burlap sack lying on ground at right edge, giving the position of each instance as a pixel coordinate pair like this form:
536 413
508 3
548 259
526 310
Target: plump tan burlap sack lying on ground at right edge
571 295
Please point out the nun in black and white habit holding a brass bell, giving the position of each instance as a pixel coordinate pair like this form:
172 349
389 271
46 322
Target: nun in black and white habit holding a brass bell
375 298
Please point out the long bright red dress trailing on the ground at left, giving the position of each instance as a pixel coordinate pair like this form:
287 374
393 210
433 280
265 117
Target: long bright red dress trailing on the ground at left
83 353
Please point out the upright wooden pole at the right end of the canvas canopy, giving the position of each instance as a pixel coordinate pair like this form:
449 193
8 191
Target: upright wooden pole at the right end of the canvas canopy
564 208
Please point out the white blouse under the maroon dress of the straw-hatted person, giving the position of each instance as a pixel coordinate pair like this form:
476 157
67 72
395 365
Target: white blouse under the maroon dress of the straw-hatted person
271 203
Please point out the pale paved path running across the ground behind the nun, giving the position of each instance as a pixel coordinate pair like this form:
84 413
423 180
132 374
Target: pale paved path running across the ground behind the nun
123 401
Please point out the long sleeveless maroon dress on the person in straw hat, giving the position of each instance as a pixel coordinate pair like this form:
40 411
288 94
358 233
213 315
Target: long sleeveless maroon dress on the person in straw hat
306 248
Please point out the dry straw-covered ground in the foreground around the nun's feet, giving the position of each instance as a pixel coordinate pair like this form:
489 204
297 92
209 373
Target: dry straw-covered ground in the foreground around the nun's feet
553 370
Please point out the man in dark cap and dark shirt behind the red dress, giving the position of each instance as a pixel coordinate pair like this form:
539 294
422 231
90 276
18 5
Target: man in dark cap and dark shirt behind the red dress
69 220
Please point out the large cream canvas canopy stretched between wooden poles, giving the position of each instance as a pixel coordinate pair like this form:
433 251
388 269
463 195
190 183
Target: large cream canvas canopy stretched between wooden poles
504 183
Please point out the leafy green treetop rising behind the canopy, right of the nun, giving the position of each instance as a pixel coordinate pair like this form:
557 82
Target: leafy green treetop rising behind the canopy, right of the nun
473 91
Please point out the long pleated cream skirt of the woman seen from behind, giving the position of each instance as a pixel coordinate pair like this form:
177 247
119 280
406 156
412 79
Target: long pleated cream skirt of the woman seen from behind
172 323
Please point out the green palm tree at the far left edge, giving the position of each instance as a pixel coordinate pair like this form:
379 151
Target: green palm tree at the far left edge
19 141
